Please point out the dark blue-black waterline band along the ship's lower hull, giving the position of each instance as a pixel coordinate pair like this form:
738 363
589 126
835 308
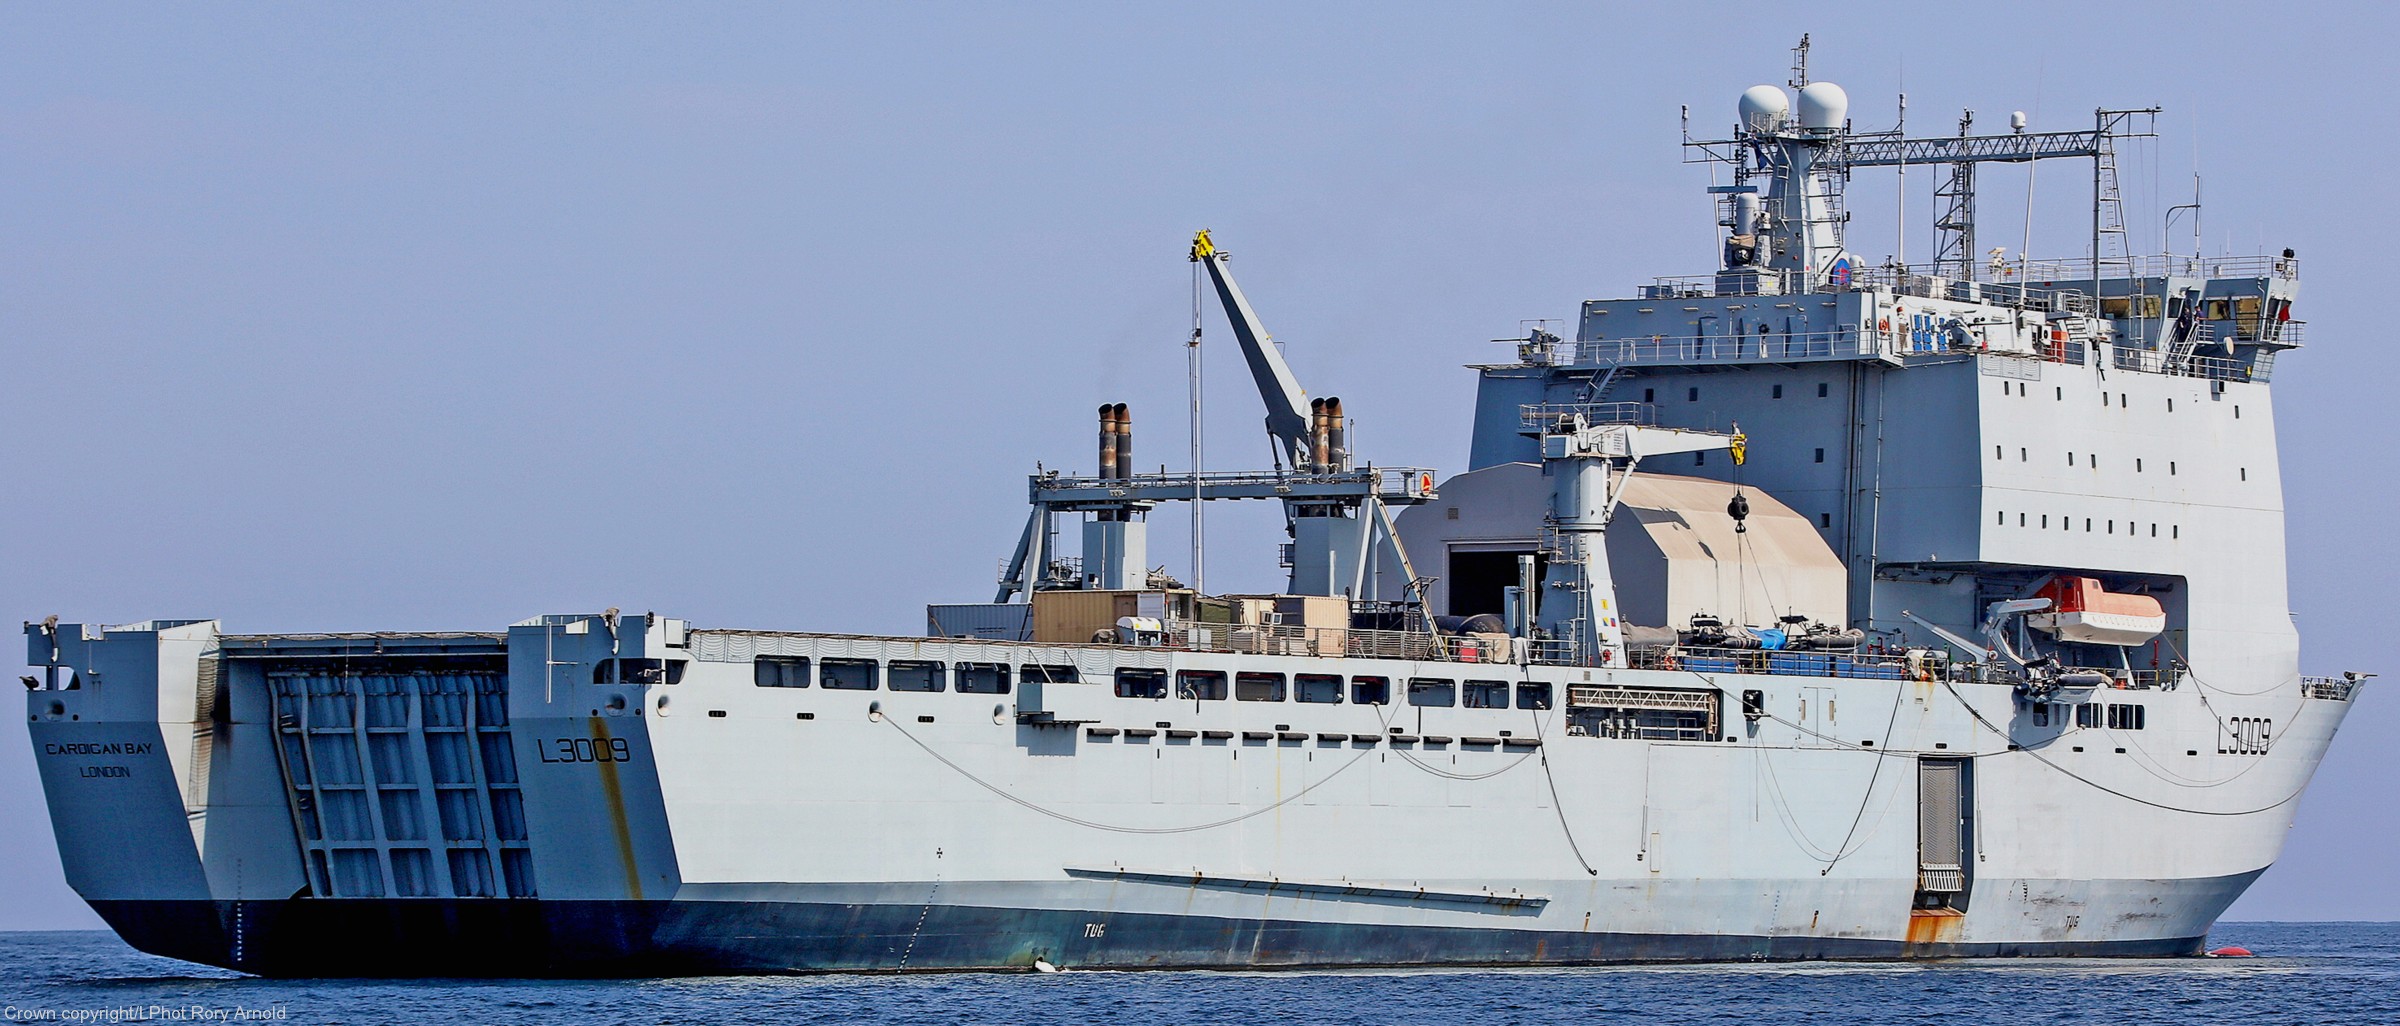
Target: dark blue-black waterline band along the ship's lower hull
700 939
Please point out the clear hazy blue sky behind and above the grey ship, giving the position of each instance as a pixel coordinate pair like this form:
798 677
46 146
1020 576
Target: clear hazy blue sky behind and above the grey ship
330 318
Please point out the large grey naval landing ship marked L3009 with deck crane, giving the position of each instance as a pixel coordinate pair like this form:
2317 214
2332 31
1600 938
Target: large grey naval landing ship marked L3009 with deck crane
1796 610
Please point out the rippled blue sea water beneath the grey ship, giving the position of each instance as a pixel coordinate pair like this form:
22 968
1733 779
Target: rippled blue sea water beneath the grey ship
2303 974
